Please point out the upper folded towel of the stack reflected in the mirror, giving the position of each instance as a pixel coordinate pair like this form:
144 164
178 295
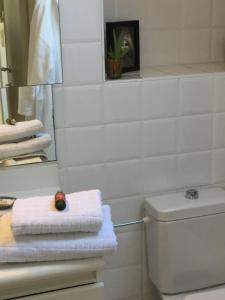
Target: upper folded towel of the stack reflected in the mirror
9 133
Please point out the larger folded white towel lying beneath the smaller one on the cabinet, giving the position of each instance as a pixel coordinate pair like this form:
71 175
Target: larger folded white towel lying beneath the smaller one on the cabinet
50 247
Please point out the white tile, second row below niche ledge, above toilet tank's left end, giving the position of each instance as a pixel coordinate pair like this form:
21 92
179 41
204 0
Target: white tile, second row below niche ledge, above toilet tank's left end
160 137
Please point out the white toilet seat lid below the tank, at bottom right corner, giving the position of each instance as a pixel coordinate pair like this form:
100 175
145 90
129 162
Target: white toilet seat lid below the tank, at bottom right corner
217 293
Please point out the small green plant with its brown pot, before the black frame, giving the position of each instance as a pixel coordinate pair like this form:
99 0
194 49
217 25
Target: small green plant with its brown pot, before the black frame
114 62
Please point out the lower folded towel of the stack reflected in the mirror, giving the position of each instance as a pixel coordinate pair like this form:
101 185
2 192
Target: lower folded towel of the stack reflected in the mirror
29 146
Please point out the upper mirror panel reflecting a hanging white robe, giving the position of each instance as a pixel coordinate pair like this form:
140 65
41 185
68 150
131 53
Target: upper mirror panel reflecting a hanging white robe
30 48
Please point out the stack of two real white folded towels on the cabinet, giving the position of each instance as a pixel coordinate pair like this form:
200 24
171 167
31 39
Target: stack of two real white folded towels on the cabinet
36 231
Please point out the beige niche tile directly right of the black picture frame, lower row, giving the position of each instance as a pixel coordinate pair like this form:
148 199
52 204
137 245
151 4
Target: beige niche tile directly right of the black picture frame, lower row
160 47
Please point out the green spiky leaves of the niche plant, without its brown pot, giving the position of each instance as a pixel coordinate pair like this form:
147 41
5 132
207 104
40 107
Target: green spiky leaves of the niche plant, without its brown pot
118 51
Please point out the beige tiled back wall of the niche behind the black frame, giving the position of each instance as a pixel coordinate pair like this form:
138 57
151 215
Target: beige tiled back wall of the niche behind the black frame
175 31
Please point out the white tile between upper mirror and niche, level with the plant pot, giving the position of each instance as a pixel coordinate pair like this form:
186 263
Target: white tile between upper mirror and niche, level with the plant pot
82 63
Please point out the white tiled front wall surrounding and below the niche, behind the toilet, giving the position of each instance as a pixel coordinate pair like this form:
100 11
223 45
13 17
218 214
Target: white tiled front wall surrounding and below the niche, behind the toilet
132 138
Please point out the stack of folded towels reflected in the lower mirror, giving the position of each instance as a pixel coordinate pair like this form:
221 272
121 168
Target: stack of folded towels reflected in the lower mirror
23 140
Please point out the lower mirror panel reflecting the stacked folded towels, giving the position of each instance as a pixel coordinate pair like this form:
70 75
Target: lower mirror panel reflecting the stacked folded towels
26 125
